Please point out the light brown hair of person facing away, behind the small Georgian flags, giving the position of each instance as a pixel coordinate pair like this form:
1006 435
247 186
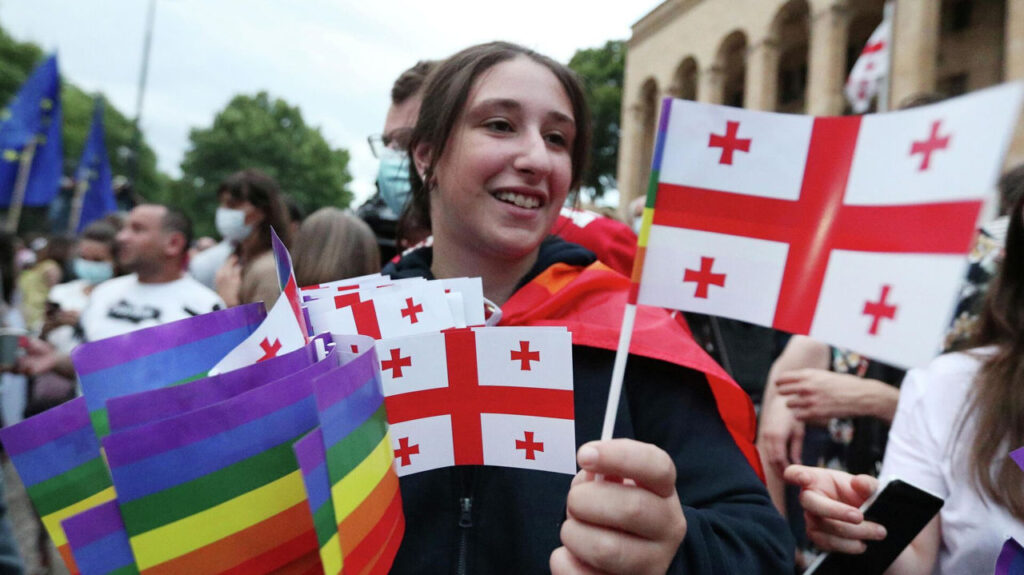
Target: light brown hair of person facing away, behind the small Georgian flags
333 245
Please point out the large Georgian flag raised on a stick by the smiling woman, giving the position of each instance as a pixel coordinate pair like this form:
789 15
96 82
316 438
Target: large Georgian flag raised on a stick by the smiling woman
851 230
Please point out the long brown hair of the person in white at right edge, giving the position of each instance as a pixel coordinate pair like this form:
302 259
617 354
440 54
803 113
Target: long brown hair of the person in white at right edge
997 403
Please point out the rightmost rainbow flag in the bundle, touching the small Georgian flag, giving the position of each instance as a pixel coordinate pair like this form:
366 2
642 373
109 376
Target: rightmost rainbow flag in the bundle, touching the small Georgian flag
364 485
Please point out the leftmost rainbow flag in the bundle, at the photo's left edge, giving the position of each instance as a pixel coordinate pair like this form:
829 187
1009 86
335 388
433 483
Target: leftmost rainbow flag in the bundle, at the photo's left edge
57 456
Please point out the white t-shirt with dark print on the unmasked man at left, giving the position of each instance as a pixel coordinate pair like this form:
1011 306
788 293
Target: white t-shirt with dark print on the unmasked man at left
121 305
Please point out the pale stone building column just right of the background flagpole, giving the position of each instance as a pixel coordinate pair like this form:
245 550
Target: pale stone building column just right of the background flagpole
916 49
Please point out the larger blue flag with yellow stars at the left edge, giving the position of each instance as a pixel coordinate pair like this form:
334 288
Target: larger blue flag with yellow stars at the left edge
34 115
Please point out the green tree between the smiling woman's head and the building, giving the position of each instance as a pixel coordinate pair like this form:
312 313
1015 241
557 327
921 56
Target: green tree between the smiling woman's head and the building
603 71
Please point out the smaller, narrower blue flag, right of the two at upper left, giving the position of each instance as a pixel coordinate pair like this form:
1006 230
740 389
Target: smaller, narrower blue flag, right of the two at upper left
95 172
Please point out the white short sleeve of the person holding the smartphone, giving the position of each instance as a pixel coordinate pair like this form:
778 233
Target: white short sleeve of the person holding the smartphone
914 453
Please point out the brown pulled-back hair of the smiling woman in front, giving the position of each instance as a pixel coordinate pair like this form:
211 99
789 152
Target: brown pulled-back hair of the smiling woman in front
445 98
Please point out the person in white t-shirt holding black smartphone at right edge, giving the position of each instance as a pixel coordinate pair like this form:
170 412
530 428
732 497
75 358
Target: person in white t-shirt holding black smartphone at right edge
957 421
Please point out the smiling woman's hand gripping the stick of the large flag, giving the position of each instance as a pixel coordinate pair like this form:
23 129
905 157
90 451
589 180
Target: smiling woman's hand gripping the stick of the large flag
631 521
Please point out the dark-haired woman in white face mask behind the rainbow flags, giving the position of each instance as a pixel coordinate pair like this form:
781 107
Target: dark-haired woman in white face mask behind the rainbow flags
250 205
